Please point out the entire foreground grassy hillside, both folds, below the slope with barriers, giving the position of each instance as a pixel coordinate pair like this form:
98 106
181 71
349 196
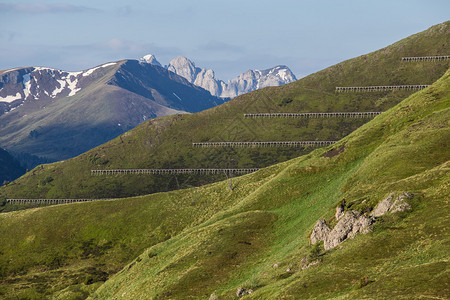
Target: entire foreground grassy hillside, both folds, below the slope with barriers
213 241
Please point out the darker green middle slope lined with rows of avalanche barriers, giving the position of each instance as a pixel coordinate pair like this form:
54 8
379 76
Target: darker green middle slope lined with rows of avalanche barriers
166 142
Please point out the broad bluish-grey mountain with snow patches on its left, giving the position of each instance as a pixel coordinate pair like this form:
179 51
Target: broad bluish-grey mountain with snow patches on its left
58 115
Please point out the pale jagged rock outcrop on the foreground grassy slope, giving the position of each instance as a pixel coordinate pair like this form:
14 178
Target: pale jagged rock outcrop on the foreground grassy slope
353 222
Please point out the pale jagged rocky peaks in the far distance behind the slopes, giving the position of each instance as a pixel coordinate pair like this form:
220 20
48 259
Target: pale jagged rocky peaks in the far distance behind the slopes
246 82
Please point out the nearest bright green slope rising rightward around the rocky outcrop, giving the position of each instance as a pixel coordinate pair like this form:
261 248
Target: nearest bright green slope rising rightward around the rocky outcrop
405 149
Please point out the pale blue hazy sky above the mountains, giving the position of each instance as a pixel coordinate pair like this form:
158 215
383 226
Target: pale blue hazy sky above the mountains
229 36
